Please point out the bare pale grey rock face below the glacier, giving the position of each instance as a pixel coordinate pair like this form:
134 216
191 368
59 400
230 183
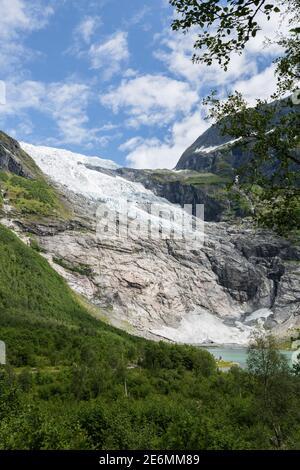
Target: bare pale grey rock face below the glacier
151 286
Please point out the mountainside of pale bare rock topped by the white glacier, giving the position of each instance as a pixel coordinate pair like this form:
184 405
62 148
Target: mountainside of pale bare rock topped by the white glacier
190 291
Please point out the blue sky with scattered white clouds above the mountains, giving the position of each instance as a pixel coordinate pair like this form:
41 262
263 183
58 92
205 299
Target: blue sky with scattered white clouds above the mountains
110 78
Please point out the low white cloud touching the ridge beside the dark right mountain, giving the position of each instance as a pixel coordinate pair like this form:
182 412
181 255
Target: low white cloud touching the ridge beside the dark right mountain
153 153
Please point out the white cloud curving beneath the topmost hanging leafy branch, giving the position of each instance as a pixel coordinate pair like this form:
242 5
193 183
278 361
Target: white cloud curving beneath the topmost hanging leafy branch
175 50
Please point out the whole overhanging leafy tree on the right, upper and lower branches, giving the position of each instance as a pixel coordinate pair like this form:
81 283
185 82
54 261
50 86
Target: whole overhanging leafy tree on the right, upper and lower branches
270 130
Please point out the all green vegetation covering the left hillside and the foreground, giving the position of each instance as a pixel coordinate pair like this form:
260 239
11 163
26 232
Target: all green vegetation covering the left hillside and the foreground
75 382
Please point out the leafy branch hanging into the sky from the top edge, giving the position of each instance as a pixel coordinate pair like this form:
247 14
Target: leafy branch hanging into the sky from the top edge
224 26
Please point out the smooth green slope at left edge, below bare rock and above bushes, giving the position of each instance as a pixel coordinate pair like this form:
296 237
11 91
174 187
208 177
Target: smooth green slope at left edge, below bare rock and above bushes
40 317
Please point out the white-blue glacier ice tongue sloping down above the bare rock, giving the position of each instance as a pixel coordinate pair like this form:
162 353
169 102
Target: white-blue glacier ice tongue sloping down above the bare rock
87 176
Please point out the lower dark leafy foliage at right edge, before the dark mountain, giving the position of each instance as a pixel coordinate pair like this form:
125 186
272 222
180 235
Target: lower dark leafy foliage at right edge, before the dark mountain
270 178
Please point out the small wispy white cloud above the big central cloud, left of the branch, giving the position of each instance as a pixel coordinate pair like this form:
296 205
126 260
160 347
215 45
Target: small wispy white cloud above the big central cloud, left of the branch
109 55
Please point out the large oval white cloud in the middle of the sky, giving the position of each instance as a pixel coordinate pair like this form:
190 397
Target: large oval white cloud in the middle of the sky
151 99
